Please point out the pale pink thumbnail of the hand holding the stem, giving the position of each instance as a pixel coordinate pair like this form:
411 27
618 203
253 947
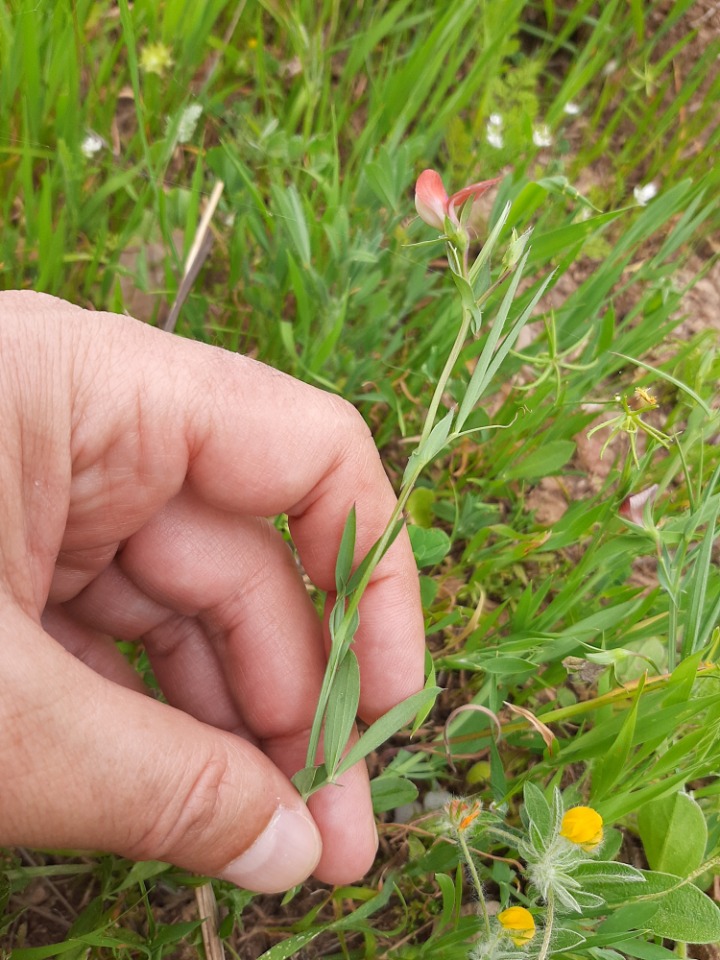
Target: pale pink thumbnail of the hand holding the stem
285 853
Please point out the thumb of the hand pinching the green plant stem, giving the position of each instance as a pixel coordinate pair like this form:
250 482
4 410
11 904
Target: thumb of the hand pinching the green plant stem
90 764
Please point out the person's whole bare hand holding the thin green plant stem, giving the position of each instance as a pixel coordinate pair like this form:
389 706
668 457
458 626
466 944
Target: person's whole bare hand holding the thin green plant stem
137 473
